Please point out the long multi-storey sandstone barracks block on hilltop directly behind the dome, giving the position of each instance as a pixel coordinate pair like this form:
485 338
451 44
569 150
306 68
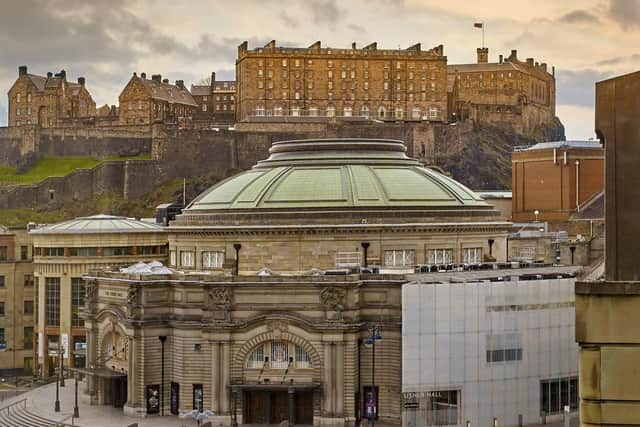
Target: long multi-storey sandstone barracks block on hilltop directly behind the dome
314 82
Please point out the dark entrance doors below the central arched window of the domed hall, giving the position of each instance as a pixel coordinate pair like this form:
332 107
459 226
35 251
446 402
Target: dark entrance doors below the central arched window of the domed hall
272 407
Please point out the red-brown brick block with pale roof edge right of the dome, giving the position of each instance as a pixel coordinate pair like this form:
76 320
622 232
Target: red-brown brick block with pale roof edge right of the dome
555 179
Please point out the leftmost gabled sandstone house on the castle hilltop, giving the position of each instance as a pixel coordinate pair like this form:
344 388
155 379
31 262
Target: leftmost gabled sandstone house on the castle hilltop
48 101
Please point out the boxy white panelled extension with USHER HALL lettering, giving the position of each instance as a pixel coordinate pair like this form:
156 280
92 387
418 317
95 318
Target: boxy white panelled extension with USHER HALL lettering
489 344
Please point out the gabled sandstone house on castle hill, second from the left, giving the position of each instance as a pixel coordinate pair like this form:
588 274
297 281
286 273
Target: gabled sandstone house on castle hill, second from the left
146 101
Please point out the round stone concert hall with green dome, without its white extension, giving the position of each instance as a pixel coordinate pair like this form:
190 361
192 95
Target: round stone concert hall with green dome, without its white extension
276 276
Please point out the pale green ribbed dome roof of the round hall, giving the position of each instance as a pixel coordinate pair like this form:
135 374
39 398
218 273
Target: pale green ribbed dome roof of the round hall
336 174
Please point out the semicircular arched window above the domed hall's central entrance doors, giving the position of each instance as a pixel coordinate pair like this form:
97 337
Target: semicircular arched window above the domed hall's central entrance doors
278 355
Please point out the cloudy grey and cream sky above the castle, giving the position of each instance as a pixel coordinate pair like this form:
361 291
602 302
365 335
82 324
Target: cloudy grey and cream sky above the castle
106 41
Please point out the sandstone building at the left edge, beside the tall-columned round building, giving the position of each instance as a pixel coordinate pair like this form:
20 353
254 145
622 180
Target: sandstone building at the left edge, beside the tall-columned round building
17 301
